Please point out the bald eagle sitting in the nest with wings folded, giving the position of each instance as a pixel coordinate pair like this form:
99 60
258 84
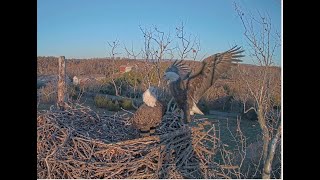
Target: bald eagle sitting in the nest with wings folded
150 113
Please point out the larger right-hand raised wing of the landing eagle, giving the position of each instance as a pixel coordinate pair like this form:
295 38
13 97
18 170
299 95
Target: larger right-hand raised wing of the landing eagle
210 70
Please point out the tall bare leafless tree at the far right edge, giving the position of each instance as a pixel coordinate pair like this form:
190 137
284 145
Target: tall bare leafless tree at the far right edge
263 42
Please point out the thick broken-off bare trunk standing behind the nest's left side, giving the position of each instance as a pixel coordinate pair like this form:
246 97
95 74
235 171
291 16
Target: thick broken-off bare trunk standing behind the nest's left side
62 83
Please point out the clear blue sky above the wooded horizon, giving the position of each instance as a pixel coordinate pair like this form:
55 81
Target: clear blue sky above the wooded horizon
81 28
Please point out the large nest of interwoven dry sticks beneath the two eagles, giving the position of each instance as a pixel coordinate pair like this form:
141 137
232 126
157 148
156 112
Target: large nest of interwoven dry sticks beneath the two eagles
79 143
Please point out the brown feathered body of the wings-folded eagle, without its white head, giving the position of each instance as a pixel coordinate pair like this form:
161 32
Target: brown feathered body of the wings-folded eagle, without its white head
146 117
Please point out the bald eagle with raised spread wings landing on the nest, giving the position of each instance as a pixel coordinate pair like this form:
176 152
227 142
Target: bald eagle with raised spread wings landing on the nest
187 88
